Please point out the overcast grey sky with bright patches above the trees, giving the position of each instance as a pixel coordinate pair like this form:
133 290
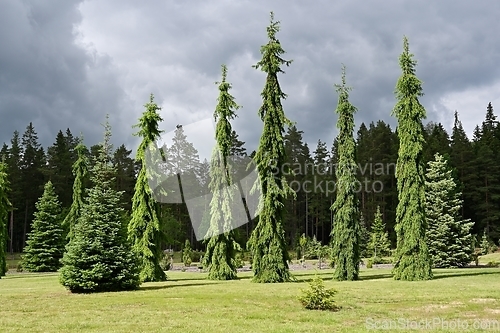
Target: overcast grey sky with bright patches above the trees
66 63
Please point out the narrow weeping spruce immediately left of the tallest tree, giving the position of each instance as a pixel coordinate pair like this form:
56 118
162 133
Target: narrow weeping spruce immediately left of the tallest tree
222 248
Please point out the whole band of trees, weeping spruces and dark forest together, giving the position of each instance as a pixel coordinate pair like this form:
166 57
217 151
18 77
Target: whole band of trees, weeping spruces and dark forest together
375 181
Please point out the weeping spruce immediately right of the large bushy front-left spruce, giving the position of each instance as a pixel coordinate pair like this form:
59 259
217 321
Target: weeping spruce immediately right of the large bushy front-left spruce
144 227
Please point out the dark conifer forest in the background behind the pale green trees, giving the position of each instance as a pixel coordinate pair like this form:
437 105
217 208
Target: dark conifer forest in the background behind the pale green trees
475 163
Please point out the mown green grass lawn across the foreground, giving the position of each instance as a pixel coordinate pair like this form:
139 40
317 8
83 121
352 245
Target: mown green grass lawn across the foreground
190 303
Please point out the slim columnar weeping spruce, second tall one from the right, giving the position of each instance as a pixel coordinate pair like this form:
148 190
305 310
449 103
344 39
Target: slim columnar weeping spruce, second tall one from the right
346 231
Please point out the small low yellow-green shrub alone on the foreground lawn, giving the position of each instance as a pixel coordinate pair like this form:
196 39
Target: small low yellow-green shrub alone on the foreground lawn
317 297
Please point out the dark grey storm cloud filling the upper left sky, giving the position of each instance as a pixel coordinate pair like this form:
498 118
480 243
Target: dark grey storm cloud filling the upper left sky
45 78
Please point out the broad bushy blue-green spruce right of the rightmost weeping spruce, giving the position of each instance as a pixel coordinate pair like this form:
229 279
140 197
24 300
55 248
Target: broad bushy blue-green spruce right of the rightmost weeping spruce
448 235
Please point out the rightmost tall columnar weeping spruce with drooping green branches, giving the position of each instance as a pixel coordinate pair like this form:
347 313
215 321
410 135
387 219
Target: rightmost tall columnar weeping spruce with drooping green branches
412 260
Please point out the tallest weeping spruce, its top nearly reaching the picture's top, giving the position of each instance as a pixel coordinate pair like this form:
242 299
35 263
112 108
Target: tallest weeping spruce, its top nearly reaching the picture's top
267 242
